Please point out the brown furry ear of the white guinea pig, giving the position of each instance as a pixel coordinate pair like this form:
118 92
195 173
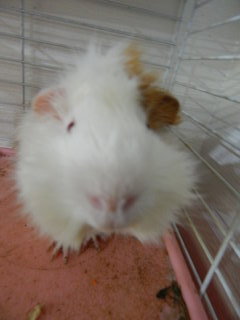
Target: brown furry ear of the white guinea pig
161 107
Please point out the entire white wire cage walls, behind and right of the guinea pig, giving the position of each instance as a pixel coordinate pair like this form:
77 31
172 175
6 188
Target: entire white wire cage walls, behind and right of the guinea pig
195 46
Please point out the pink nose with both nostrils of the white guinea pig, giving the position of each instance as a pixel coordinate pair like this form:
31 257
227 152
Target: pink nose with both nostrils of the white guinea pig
112 204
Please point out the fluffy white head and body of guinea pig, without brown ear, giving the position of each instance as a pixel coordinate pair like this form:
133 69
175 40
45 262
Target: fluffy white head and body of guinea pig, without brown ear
88 164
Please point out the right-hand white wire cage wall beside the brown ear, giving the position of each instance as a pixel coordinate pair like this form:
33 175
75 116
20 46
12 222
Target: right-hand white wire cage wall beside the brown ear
207 83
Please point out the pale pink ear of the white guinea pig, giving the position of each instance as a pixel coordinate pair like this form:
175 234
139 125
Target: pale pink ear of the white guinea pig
44 102
